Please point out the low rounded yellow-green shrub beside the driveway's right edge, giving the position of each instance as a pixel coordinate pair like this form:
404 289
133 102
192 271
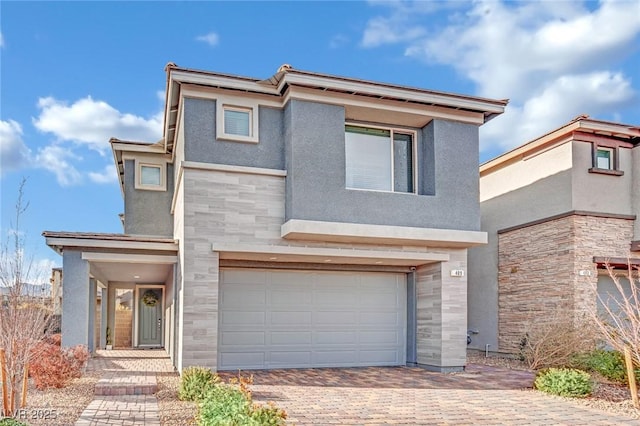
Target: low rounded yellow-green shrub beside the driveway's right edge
564 382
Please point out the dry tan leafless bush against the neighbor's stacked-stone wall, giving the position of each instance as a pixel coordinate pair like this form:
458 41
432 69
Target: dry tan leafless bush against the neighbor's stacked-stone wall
552 341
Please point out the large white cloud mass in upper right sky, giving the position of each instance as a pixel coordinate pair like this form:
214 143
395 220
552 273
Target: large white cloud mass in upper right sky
553 60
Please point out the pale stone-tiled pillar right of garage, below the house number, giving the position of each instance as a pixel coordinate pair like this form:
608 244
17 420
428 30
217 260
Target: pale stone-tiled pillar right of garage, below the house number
441 315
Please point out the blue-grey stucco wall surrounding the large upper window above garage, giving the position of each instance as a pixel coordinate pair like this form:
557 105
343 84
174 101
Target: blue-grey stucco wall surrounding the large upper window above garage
315 164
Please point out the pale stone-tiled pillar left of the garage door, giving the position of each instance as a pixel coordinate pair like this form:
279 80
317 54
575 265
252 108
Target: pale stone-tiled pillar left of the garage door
199 307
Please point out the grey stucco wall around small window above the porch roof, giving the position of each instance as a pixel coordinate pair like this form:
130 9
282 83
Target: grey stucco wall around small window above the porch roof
147 212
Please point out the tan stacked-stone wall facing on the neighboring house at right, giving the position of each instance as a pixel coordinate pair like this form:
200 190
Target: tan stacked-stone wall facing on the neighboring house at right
538 269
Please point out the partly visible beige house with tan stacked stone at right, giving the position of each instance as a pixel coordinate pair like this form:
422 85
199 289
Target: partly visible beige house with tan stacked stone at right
555 210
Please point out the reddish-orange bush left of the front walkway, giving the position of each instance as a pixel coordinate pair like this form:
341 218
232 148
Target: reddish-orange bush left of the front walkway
53 366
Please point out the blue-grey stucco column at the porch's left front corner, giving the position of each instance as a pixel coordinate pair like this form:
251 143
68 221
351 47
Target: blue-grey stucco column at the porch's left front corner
75 300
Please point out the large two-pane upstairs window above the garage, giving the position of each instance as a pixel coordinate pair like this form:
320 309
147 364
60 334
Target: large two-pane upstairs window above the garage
379 159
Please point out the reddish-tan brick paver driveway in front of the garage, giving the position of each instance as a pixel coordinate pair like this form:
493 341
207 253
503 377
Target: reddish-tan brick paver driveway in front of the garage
403 395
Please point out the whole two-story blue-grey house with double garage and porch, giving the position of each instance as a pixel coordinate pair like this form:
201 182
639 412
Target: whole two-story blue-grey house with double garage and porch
305 220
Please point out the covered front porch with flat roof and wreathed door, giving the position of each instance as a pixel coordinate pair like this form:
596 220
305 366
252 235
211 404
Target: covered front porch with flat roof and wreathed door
118 290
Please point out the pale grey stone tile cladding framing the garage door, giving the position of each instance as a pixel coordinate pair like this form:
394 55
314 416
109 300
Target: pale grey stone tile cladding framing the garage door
232 207
